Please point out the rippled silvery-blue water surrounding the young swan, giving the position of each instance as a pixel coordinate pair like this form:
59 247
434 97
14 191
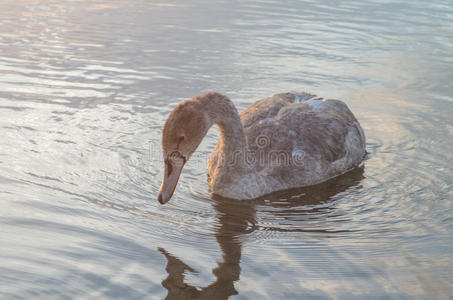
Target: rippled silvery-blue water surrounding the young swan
85 87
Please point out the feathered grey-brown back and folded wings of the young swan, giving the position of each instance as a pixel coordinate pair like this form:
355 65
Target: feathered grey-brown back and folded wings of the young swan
296 139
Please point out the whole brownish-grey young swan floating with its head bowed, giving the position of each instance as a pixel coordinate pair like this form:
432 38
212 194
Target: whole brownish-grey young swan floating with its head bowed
285 141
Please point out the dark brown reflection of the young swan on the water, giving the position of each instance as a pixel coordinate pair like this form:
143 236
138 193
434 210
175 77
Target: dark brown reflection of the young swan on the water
238 218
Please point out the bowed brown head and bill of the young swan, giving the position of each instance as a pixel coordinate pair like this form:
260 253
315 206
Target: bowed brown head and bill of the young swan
183 131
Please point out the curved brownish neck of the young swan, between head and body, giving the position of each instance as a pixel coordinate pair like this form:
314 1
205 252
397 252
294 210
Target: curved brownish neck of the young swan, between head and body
232 142
